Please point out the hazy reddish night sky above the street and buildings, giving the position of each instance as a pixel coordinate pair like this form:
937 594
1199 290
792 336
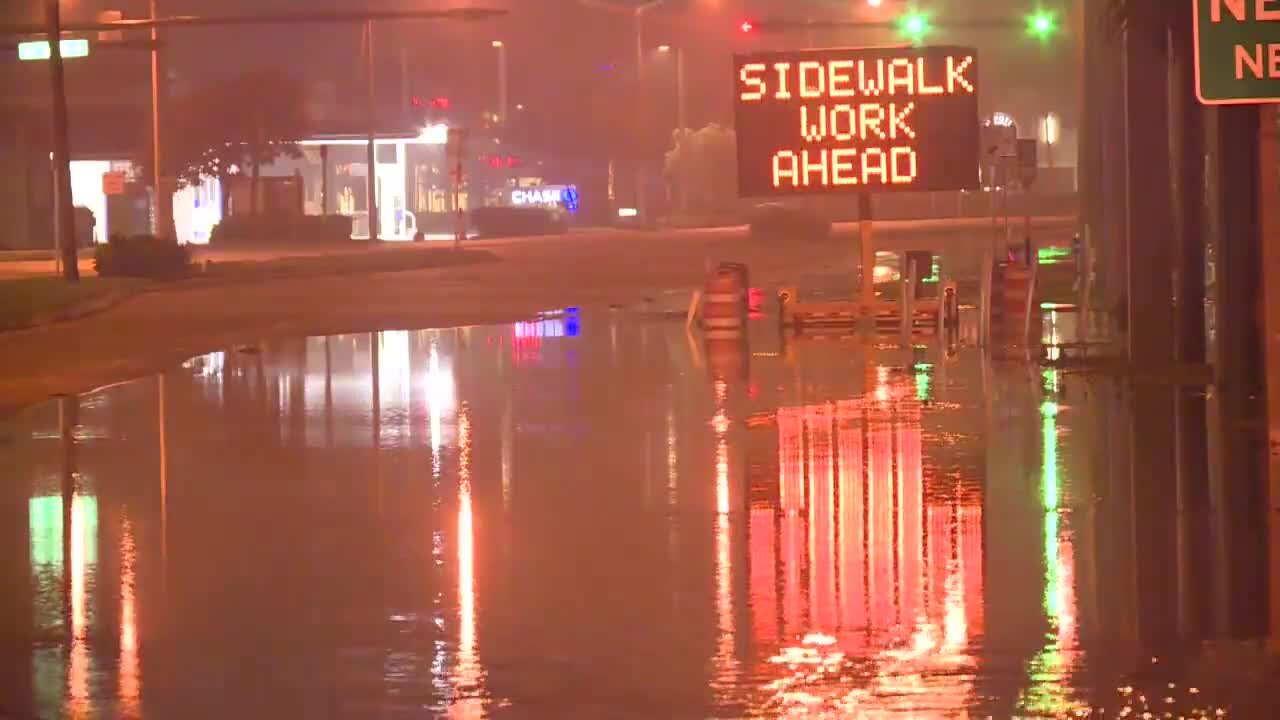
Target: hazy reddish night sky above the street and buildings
557 51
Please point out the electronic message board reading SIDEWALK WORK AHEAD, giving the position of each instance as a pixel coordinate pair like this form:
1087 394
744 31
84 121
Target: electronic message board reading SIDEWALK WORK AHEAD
861 120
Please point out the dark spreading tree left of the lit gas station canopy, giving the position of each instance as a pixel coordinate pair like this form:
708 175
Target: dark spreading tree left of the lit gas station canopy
239 124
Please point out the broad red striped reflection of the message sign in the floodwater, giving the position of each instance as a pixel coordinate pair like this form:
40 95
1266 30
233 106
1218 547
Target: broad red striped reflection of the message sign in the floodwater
893 575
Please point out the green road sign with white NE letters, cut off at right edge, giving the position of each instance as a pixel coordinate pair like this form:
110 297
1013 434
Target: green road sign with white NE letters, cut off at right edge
1237 52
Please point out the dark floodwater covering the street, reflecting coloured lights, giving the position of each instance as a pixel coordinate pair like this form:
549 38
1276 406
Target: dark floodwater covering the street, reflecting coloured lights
597 516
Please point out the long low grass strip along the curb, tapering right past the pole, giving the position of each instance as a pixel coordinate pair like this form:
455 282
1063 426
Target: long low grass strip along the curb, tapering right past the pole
28 303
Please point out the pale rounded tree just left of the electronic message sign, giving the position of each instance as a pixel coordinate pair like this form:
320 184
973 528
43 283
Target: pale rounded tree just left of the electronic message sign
703 166
